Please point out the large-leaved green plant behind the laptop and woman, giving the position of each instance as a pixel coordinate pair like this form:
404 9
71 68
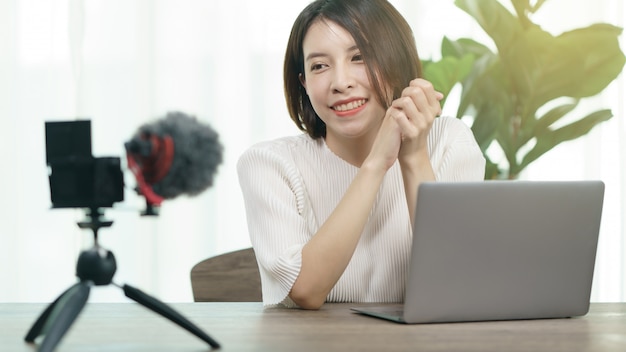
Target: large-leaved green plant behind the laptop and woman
521 95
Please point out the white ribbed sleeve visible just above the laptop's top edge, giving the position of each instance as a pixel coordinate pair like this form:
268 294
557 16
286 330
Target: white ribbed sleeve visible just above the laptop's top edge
455 154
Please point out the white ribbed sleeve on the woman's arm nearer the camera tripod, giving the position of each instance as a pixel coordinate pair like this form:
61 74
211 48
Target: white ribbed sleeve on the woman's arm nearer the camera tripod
275 201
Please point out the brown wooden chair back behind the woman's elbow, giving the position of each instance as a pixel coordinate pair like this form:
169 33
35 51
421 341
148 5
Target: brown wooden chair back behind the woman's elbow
229 277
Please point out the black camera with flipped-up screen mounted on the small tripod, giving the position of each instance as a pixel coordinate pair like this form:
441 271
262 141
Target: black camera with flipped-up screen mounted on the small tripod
77 178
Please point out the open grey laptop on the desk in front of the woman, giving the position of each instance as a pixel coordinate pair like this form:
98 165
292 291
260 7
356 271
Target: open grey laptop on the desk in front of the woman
500 250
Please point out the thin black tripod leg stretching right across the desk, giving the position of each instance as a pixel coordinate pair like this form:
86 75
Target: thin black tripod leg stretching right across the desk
168 312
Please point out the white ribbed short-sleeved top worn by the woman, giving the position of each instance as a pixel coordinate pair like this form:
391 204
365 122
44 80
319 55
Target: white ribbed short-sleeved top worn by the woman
291 185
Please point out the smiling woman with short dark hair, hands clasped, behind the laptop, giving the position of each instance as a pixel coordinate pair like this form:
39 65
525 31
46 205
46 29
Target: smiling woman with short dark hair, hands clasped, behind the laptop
329 211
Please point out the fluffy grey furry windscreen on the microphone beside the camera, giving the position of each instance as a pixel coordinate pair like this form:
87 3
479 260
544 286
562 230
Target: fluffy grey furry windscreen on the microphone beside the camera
197 152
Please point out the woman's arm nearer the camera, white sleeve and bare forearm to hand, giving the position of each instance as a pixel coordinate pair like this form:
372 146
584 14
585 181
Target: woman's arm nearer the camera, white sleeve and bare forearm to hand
298 259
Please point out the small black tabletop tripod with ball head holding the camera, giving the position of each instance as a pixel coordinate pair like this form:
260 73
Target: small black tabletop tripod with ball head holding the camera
96 266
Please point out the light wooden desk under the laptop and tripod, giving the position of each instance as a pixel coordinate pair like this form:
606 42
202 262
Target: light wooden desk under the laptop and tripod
247 327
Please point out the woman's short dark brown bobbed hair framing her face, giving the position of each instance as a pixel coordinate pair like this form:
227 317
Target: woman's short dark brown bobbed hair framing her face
384 38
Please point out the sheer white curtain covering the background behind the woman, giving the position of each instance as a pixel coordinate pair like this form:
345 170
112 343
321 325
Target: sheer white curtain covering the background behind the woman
122 63
